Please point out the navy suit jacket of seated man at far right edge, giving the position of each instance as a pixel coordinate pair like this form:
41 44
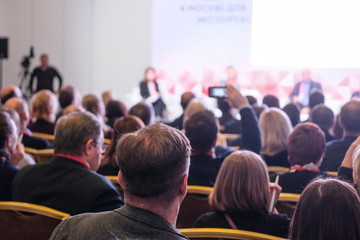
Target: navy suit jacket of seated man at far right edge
335 152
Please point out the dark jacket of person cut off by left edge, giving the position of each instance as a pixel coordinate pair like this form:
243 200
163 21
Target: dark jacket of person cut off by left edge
7 174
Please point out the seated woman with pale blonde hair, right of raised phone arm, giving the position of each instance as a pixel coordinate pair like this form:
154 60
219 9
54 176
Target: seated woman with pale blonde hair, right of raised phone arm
275 128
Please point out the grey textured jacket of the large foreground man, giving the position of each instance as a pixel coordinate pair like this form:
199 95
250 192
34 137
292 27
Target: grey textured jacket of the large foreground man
125 223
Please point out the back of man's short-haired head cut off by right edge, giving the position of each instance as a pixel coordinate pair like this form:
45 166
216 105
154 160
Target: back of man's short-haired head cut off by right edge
350 116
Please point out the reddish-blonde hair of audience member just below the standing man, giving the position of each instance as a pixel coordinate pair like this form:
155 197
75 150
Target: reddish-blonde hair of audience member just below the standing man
44 105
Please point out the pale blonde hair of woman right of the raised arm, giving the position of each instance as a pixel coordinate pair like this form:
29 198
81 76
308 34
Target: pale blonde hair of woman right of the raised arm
275 128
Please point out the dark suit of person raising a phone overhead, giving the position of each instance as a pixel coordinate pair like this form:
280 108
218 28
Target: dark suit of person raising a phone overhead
204 167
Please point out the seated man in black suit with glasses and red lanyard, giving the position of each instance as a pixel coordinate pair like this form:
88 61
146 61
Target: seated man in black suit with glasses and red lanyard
69 182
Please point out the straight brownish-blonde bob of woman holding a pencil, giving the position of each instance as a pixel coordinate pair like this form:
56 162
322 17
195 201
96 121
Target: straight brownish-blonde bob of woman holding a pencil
242 184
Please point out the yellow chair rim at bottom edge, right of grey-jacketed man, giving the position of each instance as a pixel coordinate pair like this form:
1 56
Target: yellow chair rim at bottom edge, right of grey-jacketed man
221 233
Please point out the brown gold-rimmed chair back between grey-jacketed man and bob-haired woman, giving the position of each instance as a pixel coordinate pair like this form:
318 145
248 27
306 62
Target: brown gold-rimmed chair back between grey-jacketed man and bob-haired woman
194 205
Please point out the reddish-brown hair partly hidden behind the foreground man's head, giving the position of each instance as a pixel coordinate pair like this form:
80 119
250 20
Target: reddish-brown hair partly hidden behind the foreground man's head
121 126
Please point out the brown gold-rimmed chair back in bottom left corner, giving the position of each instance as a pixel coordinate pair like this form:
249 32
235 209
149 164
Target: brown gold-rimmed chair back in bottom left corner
28 221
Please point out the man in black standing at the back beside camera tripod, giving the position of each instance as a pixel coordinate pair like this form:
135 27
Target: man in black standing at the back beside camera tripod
45 76
